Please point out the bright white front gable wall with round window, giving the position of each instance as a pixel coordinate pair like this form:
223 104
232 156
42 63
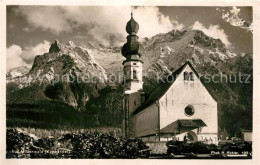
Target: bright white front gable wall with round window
183 93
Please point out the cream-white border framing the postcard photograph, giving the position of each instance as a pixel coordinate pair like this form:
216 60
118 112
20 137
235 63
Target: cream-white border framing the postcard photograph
256 74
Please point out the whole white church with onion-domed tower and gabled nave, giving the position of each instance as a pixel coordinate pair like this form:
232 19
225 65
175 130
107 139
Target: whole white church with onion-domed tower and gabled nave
181 109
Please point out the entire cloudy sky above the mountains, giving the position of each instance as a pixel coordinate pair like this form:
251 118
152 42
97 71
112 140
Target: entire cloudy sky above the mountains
32 29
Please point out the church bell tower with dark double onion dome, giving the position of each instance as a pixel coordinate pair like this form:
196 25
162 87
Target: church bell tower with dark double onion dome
133 83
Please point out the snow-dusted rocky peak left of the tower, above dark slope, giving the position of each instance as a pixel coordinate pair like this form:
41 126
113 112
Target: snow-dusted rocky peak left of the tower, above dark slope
68 59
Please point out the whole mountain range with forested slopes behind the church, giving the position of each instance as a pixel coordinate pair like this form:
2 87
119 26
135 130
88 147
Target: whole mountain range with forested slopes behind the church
52 75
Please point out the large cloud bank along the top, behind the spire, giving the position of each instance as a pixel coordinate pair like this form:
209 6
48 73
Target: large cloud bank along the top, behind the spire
105 24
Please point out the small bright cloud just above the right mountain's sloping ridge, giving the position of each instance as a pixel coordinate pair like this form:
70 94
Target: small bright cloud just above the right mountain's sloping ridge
213 31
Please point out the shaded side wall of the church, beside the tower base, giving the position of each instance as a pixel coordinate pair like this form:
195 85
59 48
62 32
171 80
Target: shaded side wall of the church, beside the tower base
147 121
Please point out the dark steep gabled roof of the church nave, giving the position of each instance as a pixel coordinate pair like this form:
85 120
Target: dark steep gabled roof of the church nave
162 88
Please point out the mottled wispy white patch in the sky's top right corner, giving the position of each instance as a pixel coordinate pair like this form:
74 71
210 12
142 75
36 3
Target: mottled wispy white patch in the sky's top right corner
232 17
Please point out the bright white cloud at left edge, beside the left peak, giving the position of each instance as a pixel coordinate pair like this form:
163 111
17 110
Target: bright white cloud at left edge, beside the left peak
16 56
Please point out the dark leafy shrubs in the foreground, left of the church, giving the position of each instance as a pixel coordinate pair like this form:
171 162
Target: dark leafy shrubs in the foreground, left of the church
96 145
